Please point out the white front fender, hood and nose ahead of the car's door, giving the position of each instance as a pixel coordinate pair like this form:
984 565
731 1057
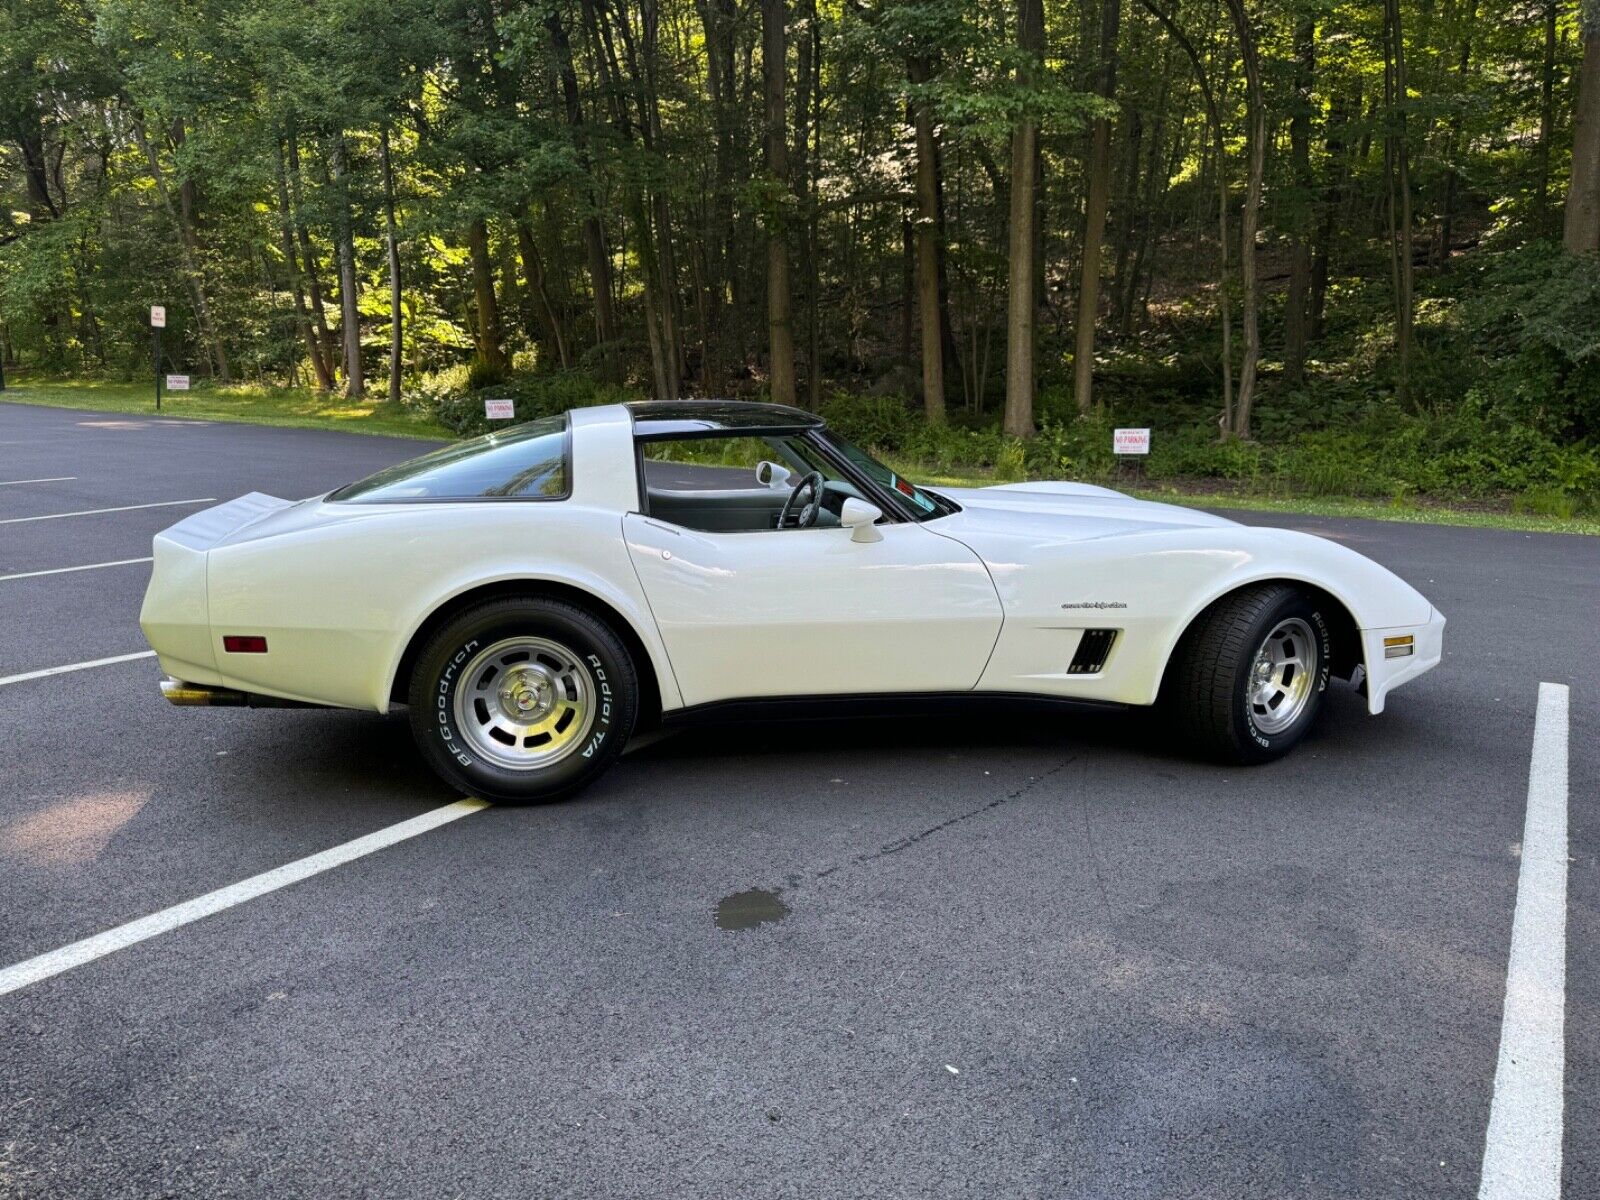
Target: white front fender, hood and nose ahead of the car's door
1070 558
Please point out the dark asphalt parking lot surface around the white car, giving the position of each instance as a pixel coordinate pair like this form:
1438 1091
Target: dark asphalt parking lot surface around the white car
1018 954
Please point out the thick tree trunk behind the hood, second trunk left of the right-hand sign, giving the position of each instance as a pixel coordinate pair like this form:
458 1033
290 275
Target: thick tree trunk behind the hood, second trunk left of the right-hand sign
1023 306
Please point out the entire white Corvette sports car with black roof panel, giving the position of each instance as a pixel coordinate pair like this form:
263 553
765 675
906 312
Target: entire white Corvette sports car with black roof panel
537 594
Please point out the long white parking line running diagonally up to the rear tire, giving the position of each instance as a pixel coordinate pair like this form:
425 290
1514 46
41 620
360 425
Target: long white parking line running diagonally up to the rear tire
121 938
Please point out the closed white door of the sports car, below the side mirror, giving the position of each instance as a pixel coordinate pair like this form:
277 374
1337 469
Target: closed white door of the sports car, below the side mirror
814 612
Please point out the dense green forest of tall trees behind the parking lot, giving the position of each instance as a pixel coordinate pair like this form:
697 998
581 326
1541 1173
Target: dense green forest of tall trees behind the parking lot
1353 239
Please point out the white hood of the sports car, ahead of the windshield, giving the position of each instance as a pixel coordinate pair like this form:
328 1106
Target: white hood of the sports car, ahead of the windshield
1055 513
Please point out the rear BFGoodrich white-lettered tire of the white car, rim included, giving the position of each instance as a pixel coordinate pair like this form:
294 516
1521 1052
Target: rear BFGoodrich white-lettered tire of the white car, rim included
602 674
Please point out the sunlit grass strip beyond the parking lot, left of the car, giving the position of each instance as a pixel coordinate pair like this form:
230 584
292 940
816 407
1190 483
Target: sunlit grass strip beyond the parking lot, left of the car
298 409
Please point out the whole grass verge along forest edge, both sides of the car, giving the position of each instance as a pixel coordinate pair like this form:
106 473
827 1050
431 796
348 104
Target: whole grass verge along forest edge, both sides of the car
303 409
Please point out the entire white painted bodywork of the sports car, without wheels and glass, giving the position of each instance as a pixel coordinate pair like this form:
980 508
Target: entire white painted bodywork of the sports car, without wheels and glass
988 599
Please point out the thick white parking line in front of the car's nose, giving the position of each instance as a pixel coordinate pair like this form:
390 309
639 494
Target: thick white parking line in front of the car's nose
1522 1151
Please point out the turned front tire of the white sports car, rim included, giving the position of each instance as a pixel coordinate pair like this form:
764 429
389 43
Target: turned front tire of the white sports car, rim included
1210 682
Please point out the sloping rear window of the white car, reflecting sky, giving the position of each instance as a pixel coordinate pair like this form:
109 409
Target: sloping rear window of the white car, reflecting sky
526 462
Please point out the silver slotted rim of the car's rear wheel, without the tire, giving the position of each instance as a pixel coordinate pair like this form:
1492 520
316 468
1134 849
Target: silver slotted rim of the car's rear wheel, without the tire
526 703
